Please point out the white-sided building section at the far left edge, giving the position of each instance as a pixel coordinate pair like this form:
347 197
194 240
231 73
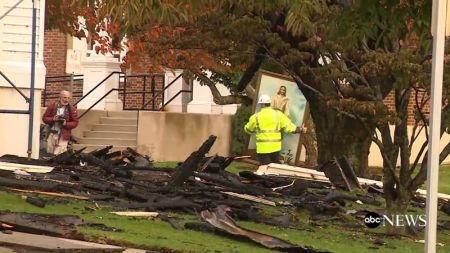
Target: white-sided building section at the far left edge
15 63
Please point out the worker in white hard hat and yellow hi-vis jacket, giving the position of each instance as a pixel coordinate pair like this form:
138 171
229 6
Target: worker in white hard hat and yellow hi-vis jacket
268 125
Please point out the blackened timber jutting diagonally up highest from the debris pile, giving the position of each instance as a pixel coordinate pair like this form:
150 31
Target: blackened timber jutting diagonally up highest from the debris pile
187 168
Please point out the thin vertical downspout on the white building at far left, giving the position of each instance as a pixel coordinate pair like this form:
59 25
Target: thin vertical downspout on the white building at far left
33 70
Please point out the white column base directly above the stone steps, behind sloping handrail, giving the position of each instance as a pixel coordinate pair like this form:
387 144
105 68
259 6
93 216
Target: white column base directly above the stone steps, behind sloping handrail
96 68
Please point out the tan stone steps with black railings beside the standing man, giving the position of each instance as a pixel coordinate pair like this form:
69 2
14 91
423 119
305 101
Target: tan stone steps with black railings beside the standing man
117 128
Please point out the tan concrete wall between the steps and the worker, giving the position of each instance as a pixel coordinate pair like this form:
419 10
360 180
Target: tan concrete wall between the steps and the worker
172 136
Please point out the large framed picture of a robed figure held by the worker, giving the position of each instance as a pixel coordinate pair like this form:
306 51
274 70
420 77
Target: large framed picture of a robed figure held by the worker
293 105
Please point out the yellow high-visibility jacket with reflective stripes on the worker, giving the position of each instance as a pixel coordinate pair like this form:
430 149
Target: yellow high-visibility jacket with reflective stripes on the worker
268 124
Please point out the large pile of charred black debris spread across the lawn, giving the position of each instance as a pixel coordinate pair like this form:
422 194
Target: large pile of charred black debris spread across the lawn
130 183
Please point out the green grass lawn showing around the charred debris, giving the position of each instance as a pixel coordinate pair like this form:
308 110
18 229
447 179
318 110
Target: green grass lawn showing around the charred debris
159 235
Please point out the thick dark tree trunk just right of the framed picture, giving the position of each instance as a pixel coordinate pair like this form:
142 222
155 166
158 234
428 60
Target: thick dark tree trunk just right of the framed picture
340 135
